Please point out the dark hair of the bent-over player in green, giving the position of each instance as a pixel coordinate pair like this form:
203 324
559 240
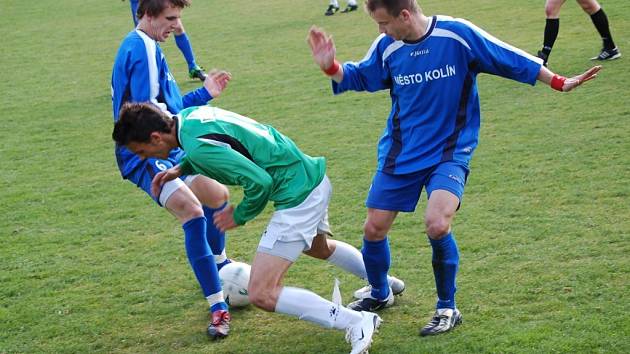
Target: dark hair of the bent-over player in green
137 121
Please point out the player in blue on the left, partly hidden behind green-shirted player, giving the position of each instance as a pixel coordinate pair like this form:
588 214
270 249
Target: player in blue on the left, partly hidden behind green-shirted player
141 74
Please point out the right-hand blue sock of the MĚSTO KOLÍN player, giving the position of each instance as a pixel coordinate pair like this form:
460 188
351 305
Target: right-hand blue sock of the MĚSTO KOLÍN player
445 263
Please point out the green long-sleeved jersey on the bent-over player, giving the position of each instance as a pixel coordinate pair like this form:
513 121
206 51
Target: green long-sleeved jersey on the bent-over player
236 150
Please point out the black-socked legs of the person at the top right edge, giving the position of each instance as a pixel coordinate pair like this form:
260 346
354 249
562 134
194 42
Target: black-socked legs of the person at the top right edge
600 21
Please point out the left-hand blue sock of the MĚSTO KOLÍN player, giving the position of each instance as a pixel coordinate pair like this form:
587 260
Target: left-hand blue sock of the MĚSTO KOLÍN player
377 261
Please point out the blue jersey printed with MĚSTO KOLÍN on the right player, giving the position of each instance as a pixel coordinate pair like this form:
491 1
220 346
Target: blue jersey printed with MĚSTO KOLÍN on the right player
435 114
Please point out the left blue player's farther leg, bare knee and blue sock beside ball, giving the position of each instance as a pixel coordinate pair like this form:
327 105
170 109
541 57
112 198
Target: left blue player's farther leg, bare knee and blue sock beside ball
213 196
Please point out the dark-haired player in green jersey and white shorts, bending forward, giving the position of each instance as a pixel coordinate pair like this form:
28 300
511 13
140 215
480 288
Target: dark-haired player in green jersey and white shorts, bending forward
236 150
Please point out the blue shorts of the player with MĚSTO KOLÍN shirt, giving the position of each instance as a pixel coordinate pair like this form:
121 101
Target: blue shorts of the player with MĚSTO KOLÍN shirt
402 192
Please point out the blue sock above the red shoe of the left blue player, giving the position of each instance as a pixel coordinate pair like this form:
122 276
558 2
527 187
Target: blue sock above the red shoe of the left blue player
201 260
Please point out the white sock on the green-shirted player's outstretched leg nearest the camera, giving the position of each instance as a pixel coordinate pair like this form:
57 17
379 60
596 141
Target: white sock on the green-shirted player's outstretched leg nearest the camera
307 305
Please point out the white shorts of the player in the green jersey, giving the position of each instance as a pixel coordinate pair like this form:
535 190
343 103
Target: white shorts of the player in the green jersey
300 224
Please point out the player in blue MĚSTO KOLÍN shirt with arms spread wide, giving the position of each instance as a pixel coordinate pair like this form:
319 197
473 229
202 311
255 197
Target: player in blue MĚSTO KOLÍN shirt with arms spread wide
430 66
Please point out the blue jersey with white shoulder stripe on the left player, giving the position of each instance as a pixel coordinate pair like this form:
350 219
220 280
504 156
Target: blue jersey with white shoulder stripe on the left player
141 74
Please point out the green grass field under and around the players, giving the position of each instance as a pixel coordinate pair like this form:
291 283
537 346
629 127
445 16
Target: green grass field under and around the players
89 264
